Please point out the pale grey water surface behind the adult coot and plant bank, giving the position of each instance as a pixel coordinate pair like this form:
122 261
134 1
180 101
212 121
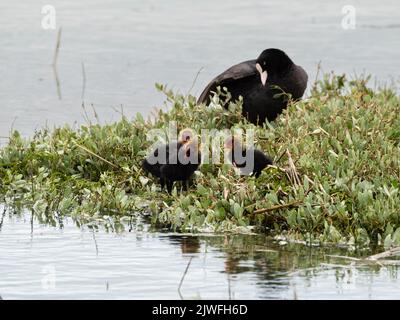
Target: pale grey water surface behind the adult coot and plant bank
128 45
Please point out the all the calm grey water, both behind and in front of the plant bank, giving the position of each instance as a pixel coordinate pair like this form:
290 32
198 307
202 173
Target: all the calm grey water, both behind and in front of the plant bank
126 46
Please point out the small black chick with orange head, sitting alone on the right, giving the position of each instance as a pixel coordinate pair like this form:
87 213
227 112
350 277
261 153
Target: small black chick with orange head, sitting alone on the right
248 160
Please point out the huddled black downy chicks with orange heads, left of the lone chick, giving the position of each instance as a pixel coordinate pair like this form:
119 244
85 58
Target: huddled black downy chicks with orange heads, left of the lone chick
175 161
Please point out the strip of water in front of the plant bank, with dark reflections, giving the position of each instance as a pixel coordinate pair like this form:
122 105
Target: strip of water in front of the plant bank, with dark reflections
91 262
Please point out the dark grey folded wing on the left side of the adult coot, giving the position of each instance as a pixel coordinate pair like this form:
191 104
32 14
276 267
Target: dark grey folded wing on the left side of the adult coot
238 71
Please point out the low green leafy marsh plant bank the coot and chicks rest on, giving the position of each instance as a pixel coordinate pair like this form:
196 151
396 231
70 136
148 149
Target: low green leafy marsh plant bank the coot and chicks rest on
335 176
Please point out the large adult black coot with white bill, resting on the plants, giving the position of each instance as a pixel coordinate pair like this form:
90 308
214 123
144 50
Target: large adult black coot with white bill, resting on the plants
258 82
